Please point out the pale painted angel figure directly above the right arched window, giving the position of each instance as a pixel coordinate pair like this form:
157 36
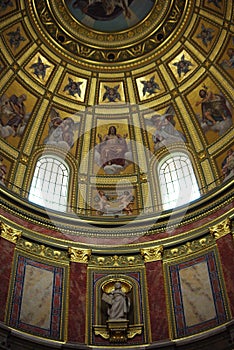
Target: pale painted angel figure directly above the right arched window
165 133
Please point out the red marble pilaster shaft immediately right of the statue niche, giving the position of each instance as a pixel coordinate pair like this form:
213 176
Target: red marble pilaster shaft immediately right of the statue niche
157 301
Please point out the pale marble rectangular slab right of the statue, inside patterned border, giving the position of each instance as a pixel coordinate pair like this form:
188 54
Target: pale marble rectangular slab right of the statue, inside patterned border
197 295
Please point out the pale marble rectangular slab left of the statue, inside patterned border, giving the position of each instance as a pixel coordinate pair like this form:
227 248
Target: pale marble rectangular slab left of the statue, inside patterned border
37 297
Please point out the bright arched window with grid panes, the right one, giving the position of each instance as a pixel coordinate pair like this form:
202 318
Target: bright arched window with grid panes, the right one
178 184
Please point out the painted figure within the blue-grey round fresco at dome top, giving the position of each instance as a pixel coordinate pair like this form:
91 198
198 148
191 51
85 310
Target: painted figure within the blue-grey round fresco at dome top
103 9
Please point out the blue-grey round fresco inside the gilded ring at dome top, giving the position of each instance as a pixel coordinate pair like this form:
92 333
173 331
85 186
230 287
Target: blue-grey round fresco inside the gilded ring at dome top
109 15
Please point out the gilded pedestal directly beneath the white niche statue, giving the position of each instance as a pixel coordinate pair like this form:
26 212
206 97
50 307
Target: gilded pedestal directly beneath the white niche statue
118 330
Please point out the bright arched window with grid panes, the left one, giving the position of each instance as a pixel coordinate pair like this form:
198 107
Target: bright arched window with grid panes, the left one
49 186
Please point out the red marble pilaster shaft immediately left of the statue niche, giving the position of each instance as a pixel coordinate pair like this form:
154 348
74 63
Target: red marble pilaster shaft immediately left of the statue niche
77 303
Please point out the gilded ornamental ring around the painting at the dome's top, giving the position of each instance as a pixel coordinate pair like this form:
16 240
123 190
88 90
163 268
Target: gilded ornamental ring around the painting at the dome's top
69 33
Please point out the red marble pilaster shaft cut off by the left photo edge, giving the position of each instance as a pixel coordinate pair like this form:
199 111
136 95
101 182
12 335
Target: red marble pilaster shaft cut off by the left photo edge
6 257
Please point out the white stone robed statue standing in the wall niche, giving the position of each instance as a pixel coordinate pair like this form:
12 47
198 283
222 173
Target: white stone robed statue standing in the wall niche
118 303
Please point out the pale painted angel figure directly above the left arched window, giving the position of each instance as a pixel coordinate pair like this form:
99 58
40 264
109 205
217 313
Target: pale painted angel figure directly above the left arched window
61 131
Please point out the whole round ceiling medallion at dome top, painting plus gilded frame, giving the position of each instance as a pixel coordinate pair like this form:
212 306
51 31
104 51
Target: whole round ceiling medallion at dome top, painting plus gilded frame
113 31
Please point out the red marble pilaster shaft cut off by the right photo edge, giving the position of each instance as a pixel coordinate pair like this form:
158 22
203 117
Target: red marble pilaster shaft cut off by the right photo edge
226 252
